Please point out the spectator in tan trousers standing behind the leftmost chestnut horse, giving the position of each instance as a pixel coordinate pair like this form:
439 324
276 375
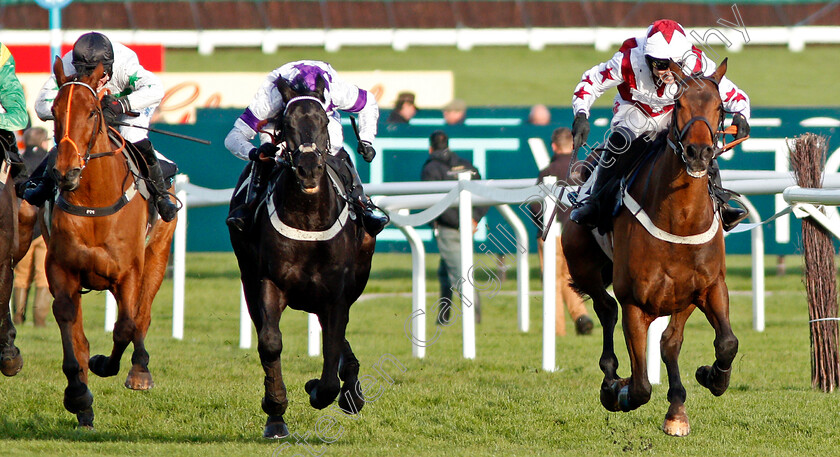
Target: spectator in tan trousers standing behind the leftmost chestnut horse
31 268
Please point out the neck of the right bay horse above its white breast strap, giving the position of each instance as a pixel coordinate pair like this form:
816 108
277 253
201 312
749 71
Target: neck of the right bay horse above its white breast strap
672 198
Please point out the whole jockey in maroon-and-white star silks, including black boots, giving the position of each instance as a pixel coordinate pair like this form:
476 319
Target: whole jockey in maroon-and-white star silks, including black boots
643 106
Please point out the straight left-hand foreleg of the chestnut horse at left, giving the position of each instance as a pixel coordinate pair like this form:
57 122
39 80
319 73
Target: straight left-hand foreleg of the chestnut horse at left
68 314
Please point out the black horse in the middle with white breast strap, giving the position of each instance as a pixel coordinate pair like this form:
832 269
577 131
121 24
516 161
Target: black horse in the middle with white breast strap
302 252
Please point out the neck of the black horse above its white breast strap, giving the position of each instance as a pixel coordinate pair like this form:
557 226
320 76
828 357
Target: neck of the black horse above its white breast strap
305 211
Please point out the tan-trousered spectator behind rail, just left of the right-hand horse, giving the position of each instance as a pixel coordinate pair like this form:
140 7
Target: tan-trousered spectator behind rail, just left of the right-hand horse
561 144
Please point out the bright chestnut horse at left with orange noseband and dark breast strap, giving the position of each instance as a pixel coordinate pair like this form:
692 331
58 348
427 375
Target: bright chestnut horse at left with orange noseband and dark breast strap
102 236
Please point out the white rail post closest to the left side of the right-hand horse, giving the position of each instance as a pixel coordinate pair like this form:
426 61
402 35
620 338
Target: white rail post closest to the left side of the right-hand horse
549 276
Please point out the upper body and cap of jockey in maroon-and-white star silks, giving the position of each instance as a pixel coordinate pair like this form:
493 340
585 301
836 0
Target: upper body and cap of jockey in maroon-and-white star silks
643 104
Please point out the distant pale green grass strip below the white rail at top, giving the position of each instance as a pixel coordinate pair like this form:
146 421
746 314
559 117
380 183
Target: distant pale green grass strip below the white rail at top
516 76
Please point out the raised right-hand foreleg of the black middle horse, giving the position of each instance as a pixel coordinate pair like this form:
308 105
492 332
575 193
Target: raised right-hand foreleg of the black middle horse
322 392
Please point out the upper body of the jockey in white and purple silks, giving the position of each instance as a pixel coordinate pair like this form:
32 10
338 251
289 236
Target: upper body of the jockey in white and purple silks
338 94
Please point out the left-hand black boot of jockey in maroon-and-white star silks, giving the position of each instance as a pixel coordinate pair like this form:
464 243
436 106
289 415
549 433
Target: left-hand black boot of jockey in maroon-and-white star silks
610 166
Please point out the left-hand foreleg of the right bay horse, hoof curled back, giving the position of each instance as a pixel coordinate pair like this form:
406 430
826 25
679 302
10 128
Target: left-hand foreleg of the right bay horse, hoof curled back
629 394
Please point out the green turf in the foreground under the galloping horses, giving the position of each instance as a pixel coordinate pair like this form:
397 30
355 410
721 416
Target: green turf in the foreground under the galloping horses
207 394
